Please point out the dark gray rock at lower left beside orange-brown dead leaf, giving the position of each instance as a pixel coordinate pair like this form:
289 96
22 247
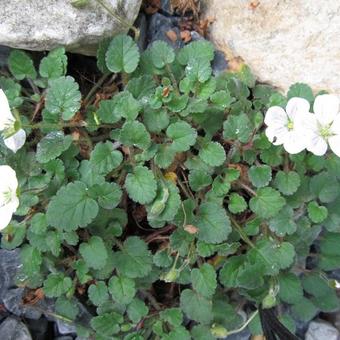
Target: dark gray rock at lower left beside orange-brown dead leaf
13 303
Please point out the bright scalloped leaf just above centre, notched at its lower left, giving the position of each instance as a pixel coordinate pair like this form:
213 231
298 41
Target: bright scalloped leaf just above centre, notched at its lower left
183 136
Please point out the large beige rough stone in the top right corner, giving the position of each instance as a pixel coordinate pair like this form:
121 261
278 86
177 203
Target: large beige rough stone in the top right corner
282 41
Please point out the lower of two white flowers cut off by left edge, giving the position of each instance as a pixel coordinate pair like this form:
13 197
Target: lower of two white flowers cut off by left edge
9 201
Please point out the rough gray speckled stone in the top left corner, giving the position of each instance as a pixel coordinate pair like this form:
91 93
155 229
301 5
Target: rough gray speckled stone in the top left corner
46 24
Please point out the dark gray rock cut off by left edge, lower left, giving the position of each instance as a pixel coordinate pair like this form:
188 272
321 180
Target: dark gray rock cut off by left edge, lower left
9 265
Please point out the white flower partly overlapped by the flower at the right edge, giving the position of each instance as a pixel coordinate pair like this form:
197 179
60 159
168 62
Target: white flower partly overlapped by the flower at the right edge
284 126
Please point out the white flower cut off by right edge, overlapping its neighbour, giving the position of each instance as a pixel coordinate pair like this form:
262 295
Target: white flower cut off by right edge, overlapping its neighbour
323 126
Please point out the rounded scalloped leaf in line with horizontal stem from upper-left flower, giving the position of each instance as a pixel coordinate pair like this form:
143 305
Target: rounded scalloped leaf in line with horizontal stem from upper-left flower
135 134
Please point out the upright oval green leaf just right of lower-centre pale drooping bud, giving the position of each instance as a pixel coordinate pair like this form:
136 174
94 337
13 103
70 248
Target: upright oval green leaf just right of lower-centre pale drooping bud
204 280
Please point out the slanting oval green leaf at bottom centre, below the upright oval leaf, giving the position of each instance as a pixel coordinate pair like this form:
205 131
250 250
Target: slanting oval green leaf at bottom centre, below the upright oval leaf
196 307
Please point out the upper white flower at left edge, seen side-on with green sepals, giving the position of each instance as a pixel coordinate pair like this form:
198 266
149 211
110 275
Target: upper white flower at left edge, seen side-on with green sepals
14 137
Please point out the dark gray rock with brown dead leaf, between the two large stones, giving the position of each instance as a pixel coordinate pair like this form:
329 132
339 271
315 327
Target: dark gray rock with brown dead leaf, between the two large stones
158 27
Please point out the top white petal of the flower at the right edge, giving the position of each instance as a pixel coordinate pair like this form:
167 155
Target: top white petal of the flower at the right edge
326 107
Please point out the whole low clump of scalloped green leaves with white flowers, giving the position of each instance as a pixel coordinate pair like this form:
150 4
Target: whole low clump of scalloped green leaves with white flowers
162 202
